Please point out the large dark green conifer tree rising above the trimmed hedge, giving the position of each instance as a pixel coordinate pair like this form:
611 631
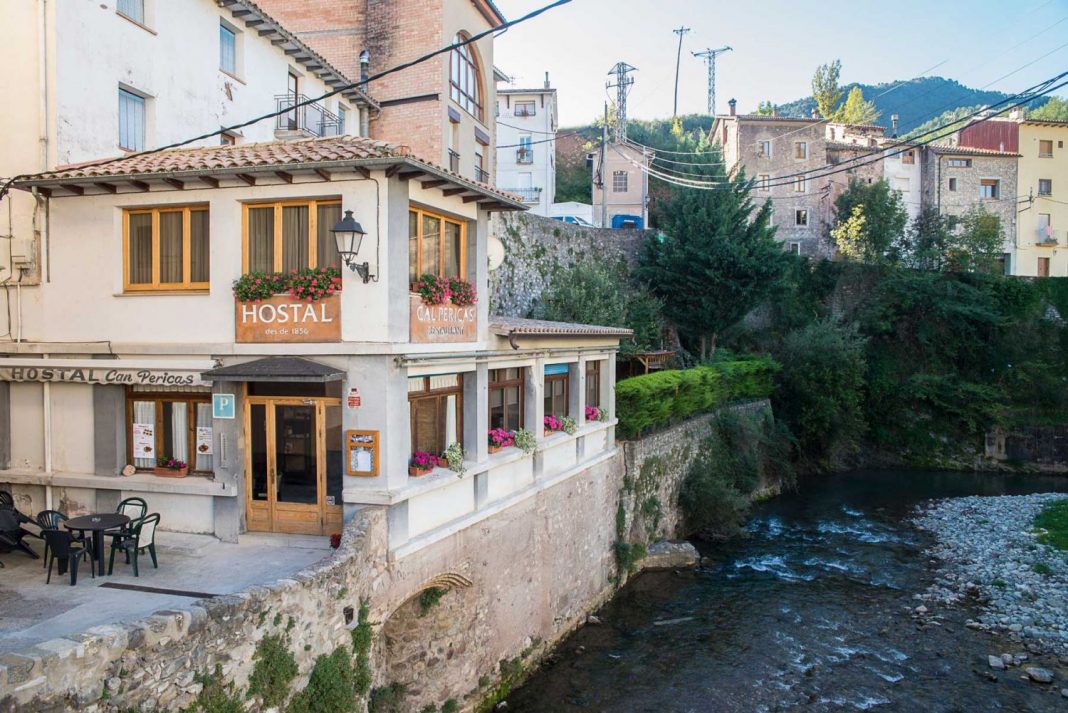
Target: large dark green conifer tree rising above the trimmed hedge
718 259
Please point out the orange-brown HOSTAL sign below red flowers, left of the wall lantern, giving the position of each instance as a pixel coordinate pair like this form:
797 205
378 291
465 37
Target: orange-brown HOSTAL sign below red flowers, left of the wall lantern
282 320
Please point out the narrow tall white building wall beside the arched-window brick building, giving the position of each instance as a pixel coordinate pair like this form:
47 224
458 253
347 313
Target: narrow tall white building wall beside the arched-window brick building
540 172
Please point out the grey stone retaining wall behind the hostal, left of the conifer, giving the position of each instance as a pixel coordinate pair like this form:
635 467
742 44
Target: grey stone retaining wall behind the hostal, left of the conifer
536 247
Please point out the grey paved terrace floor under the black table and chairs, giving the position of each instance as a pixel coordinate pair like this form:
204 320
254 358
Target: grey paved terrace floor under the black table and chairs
33 612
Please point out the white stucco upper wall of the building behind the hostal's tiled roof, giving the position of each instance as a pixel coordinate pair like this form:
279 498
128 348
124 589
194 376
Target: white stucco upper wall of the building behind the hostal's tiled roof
176 61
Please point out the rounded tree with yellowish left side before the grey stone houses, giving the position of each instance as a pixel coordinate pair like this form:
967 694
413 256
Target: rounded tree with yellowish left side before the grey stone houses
874 233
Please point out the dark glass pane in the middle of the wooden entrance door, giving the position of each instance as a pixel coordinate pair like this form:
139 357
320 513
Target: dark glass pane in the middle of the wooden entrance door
296 458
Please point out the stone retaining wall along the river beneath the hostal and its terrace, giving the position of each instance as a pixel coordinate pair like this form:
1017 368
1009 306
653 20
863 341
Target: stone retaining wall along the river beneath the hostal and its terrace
507 590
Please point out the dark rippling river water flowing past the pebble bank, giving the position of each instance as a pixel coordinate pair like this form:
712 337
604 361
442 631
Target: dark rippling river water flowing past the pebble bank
810 612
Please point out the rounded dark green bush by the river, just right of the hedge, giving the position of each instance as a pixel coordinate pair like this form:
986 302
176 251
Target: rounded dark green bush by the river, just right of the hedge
820 392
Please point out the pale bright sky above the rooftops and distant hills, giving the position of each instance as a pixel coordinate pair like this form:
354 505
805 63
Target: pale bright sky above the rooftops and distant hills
776 47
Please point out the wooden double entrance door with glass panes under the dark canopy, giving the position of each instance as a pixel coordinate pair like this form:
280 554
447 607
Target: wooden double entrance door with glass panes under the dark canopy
294 465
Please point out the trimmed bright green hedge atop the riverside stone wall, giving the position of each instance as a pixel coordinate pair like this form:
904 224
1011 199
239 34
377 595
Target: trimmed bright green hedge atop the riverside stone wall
659 400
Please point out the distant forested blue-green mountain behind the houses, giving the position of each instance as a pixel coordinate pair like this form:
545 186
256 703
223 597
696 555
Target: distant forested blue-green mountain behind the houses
914 101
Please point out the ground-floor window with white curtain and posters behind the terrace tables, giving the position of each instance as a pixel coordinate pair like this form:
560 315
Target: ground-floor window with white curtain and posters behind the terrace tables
176 426
